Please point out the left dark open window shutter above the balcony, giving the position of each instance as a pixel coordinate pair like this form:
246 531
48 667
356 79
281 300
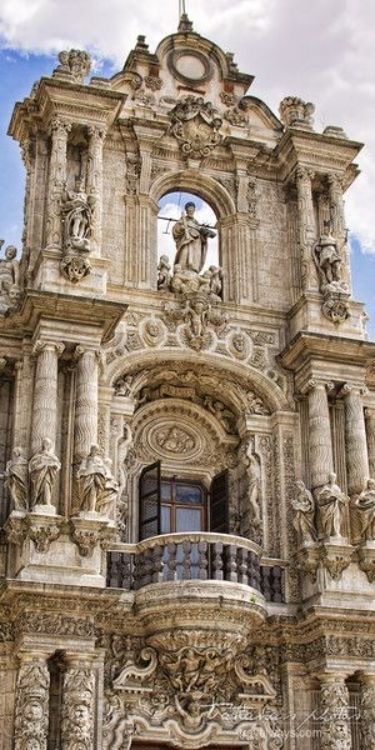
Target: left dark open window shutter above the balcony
149 501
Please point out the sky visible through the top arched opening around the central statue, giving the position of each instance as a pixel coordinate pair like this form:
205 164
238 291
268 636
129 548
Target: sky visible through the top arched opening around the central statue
171 207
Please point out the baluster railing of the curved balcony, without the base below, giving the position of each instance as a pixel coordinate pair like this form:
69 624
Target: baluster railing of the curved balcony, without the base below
193 556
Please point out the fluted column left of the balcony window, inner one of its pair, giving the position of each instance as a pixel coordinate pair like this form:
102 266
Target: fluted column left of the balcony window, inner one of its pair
86 409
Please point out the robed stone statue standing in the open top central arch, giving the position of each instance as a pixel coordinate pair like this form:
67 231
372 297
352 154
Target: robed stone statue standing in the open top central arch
191 240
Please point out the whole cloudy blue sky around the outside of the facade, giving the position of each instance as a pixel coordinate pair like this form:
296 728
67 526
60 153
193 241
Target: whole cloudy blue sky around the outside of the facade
25 57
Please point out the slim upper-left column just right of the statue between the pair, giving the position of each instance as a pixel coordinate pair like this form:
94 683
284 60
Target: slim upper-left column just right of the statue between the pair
95 183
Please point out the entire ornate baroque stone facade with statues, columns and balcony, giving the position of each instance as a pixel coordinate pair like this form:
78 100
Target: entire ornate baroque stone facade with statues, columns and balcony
187 451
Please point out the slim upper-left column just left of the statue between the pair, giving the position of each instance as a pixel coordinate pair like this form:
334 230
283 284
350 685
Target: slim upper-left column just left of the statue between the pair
57 180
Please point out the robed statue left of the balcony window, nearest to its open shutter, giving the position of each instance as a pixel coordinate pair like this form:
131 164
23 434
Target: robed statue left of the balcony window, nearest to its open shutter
97 489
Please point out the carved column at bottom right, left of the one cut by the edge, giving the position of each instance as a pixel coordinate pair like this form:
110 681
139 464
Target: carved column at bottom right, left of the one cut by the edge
334 713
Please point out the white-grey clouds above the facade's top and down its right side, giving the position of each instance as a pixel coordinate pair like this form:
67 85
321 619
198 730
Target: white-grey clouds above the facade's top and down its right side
323 51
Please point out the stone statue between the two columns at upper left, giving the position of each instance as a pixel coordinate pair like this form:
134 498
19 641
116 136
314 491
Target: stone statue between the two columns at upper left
77 220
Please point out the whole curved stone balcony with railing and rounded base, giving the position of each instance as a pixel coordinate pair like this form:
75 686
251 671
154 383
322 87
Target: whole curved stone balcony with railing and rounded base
195 582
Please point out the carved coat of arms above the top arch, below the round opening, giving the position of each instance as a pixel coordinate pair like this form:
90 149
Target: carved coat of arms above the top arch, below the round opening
196 125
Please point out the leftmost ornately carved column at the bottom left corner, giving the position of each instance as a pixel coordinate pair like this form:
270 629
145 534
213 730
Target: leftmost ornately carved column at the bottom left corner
32 702
